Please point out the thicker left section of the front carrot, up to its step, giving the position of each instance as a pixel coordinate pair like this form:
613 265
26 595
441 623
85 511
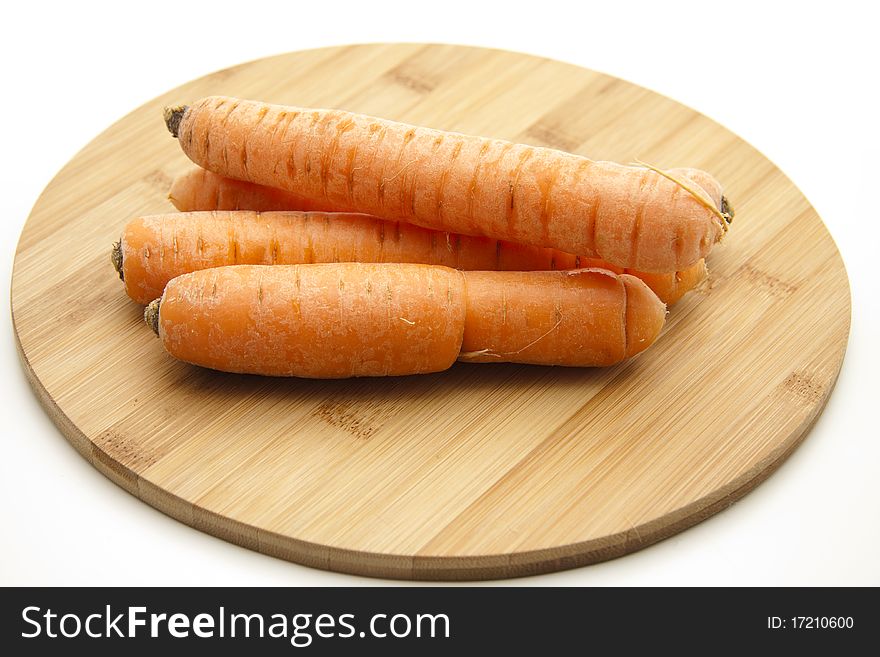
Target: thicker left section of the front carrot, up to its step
316 321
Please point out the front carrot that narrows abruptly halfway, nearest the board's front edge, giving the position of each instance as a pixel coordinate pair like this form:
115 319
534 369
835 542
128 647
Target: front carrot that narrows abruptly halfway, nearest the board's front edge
357 319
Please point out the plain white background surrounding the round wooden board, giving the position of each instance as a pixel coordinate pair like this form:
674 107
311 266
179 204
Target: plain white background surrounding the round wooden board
798 80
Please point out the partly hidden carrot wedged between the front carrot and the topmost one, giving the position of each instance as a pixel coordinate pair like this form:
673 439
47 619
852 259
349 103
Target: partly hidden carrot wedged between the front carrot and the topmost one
155 249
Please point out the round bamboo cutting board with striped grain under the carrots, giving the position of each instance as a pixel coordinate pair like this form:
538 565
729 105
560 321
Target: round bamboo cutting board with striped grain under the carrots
482 471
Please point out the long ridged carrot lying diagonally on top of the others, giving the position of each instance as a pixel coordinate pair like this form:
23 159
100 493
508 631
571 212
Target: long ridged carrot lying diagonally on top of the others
630 216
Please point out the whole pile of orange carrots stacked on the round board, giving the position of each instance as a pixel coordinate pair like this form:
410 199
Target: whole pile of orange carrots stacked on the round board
327 244
